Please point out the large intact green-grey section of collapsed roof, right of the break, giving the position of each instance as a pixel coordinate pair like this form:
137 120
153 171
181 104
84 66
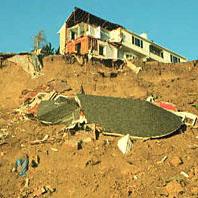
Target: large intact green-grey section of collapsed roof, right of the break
122 116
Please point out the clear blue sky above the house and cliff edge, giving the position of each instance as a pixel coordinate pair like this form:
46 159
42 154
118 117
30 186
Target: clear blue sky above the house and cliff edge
170 23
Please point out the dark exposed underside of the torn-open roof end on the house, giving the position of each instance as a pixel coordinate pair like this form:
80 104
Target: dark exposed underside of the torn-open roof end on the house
79 15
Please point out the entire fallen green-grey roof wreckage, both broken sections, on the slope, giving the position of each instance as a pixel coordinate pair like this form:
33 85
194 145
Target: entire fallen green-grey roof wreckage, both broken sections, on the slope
145 121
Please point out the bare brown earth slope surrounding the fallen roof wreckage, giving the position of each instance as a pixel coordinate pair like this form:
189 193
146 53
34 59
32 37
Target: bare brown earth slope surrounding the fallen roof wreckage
166 167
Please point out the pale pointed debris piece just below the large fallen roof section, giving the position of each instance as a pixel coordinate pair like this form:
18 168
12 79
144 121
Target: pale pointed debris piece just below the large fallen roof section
125 144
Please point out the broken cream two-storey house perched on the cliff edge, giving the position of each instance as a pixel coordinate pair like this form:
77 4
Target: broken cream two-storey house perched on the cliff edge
86 34
